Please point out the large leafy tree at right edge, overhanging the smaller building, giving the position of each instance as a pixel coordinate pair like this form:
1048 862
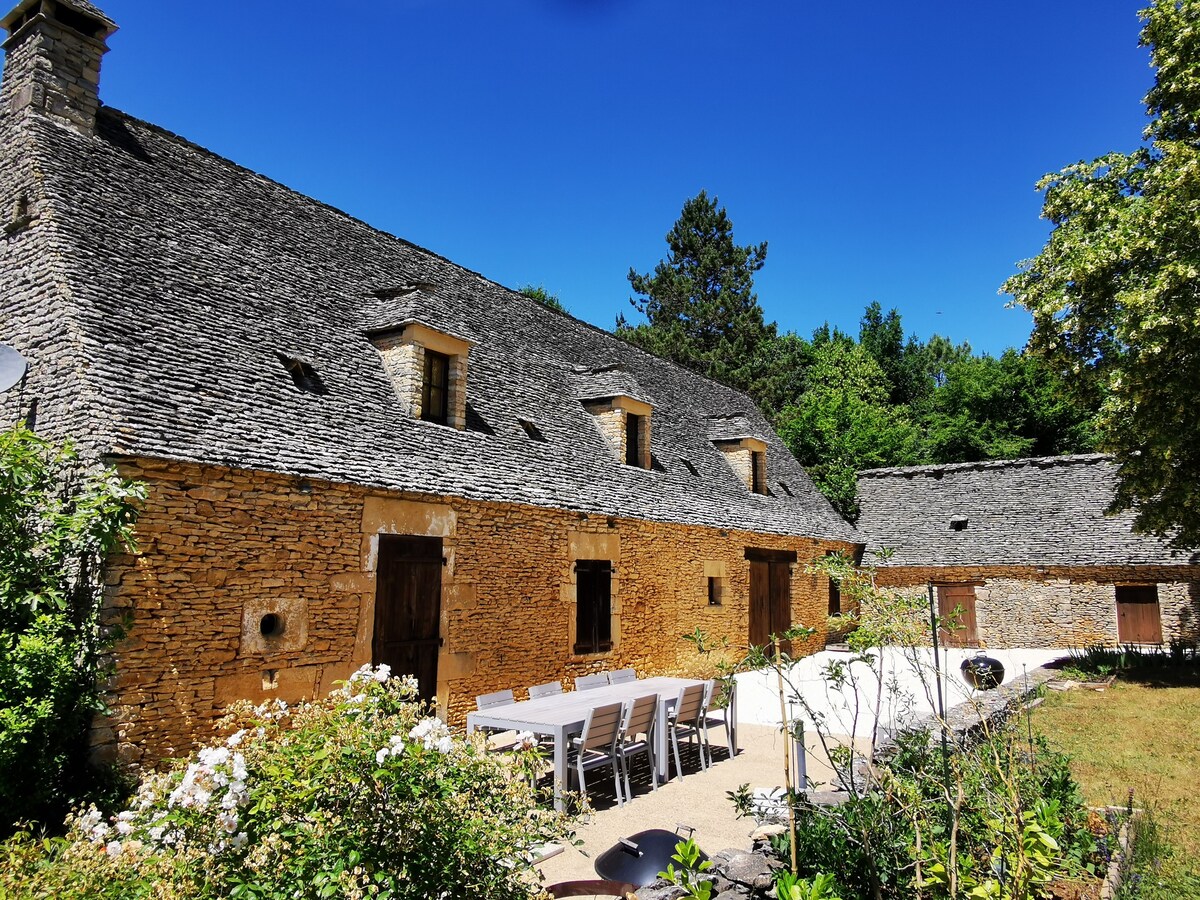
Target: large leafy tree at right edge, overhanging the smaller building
1115 290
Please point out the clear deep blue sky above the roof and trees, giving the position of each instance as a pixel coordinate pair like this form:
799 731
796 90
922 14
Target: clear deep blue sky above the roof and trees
885 151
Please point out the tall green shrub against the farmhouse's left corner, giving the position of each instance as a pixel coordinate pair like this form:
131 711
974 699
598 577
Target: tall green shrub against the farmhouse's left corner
56 529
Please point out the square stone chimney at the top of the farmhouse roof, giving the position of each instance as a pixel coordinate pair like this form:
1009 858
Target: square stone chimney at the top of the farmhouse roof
52 61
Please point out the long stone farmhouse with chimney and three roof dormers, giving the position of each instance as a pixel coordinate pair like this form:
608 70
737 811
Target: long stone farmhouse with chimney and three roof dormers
355 449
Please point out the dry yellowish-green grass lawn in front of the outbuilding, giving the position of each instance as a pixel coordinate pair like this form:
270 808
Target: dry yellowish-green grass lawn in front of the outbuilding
1141 735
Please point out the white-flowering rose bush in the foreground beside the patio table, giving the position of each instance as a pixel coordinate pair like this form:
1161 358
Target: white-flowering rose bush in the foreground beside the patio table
363 795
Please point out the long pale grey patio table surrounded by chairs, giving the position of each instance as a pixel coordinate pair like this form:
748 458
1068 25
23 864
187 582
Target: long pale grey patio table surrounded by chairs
562 716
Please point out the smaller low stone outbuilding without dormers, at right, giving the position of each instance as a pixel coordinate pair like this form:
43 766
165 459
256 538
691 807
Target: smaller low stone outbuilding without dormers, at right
1024 551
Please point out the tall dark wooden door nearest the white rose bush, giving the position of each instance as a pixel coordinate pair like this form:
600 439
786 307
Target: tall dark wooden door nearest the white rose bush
409 609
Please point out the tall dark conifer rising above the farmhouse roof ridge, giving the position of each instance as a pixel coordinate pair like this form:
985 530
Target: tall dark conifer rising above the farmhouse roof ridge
699 304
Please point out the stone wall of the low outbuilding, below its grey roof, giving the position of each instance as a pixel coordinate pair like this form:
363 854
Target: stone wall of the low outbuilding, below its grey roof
1061 607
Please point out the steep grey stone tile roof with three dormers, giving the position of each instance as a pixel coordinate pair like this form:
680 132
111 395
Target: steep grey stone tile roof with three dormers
190 279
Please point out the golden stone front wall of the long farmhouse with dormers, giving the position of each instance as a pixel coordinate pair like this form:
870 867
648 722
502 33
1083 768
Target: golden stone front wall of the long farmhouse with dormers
220 549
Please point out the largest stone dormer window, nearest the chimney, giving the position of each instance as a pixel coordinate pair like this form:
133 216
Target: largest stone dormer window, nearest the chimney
428 370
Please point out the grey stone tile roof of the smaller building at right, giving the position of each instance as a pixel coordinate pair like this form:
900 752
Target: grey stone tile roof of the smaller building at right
1039 512
